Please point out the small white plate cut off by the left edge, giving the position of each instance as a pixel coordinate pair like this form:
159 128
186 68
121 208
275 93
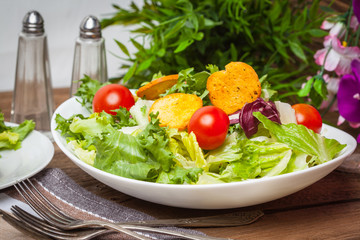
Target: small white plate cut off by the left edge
34 155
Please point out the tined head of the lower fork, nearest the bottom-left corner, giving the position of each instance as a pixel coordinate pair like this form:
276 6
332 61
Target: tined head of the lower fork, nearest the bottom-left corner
39 229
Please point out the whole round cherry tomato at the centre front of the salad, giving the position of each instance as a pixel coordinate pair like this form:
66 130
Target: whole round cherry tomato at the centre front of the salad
210 125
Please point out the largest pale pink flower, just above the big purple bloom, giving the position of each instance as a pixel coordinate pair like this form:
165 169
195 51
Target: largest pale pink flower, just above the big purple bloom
339 57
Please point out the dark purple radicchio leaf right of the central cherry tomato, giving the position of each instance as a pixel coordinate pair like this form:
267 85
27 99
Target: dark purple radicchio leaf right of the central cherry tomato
249 123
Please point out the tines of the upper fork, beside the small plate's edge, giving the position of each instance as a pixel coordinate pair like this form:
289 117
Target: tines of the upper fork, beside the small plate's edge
39 205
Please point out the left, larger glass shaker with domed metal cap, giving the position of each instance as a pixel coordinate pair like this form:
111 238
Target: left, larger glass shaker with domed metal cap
33 97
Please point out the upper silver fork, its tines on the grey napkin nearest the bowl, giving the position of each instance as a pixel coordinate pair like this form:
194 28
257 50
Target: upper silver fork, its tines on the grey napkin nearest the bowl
54 216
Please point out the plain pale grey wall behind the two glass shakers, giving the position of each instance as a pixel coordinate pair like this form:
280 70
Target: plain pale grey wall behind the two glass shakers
62 21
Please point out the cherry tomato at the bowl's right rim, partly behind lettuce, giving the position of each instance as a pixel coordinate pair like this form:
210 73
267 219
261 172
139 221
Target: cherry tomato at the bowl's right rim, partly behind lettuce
308 116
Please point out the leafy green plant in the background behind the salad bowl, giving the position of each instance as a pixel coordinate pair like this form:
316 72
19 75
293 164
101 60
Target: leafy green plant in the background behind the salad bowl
272 36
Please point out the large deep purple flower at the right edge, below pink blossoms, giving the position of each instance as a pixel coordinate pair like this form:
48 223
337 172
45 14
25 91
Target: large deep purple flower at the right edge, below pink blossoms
349 94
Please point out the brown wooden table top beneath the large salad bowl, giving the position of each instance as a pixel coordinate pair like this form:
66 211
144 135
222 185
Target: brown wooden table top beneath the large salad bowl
328 209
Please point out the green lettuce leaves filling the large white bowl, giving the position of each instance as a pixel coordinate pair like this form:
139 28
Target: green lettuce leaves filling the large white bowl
131 145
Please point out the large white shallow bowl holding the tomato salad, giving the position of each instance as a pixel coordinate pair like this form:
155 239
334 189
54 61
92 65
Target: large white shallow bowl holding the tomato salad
213 196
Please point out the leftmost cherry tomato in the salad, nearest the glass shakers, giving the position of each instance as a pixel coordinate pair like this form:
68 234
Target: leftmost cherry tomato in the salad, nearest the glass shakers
111 97
